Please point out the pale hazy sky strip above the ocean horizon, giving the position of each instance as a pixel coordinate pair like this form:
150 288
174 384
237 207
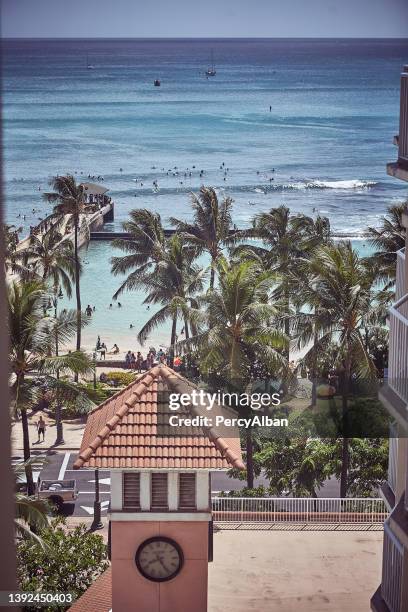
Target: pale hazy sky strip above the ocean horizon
204 18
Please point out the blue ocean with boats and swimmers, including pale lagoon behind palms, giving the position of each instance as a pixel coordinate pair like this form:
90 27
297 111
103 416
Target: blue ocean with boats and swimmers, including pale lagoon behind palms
307 123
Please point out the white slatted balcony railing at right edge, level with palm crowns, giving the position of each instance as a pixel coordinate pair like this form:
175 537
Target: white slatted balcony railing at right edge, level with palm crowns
398 352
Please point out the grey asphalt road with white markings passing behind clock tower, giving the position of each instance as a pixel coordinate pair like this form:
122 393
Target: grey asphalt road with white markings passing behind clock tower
59 465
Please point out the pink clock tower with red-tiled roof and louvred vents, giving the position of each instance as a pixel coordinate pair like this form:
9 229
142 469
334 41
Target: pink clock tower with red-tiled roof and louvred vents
160 512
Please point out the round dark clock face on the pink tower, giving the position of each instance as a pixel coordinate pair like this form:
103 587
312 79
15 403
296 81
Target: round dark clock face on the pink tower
159 559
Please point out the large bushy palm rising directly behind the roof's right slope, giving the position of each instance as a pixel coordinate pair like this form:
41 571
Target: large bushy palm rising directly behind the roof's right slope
240 343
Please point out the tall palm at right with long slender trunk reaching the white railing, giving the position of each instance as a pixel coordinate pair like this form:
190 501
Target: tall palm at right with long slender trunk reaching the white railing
341 298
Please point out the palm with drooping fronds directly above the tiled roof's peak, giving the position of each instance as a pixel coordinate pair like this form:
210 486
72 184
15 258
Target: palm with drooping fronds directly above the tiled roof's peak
173 284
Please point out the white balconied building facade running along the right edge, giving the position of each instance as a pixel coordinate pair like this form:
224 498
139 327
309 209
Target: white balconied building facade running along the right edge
392 594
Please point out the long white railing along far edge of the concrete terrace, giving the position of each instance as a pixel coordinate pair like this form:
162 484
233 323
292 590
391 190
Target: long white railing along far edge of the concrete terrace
298 510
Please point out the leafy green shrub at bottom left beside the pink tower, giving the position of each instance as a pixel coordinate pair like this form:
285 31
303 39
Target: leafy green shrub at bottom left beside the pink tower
69 562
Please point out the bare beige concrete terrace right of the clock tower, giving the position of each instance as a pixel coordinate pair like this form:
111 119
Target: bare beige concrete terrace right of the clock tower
294 571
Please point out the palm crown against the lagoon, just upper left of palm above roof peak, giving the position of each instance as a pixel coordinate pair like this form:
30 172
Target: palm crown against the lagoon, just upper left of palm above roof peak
144 251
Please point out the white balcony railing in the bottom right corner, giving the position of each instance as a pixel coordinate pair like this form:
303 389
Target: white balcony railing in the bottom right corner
392 570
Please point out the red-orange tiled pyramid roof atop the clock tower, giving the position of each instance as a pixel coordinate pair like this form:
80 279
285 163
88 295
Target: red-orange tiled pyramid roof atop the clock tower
130 430
